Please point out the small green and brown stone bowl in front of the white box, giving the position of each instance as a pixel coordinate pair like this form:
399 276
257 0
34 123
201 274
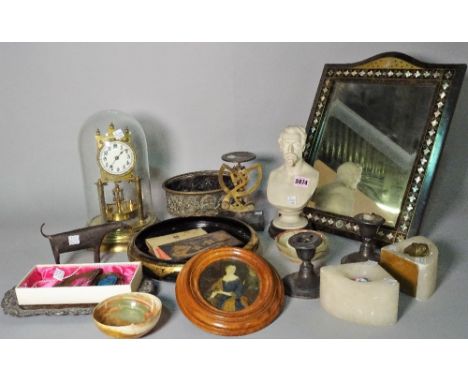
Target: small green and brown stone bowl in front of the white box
127 315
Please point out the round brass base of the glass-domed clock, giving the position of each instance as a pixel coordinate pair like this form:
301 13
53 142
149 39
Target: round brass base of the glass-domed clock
117 241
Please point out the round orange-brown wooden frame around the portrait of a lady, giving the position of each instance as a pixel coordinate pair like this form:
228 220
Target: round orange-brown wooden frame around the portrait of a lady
264 310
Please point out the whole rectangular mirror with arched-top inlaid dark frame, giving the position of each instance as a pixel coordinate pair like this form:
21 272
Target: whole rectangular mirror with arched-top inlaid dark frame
375 134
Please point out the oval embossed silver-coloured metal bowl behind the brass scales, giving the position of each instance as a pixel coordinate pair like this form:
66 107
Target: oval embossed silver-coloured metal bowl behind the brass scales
194 194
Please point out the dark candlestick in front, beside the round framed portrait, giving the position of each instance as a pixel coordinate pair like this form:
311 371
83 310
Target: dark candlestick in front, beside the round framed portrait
305 283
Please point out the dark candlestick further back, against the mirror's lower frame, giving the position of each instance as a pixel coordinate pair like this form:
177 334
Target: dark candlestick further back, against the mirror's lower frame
369 224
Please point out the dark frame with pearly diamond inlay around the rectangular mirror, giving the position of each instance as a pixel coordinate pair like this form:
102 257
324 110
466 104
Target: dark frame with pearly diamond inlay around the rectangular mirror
398 68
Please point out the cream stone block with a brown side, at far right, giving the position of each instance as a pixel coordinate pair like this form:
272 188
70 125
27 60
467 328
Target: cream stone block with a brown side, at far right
413 262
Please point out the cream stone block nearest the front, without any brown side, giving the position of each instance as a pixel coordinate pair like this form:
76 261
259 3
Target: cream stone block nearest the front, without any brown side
363 293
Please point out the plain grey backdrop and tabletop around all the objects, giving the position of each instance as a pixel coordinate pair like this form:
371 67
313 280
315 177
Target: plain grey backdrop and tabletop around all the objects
196 102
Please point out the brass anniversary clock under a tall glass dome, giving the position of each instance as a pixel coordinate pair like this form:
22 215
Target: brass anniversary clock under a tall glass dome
114 160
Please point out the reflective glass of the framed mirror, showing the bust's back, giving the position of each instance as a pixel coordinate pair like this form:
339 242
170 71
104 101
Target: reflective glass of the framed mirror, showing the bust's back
369 146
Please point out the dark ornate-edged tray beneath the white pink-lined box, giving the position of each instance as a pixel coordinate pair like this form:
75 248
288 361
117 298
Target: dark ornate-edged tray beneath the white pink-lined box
10 305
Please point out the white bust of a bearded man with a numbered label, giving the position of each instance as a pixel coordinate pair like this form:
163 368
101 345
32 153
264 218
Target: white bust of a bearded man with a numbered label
291 185
